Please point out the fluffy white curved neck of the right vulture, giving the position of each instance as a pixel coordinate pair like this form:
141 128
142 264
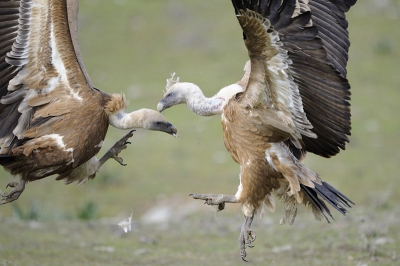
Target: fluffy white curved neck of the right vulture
201 105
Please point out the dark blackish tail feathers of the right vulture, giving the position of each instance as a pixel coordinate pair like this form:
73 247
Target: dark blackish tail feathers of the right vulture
331 195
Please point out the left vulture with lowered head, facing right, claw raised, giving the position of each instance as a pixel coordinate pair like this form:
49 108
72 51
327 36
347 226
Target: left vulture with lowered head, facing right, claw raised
52 119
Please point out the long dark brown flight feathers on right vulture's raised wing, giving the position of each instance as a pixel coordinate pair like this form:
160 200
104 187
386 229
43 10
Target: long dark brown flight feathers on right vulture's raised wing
315 35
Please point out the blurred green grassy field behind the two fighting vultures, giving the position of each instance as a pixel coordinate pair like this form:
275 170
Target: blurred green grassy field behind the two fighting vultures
133 47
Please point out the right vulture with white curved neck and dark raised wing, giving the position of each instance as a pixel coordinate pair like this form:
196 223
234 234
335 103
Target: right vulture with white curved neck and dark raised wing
293 99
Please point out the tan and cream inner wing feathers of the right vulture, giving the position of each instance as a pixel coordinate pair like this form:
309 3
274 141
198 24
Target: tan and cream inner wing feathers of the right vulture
270 84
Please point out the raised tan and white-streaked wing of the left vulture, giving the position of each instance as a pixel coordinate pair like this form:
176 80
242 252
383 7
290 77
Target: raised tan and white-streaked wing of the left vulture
42 76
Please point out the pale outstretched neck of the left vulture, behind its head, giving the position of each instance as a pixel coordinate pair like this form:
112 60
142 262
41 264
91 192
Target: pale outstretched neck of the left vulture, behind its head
135 119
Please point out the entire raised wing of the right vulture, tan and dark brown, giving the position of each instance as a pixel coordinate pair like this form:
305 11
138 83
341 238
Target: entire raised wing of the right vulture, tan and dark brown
313 35
